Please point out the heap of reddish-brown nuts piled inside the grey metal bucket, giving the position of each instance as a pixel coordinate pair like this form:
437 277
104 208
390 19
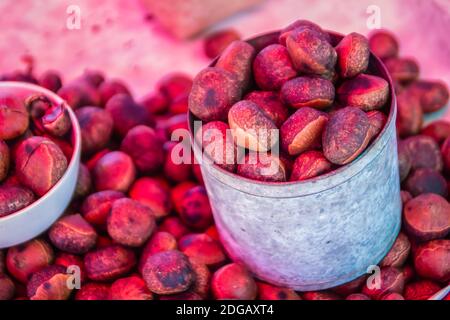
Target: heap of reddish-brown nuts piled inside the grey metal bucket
305 92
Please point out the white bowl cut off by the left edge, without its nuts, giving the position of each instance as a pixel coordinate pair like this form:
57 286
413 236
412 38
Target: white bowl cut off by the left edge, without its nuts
31 221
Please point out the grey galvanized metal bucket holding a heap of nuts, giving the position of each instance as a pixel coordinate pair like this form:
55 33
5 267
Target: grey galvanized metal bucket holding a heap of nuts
318 233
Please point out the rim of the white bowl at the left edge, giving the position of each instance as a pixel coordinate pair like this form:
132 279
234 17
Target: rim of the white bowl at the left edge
76 151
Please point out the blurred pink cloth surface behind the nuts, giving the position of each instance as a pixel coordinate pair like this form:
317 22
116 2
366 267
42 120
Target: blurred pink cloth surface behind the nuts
118 37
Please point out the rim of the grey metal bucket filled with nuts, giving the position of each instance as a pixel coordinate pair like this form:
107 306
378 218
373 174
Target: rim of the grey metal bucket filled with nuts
317 184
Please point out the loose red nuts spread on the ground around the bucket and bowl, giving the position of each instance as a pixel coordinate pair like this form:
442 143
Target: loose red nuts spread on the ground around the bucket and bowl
140 225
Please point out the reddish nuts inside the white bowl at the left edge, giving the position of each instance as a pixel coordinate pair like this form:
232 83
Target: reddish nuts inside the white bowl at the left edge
35 148
